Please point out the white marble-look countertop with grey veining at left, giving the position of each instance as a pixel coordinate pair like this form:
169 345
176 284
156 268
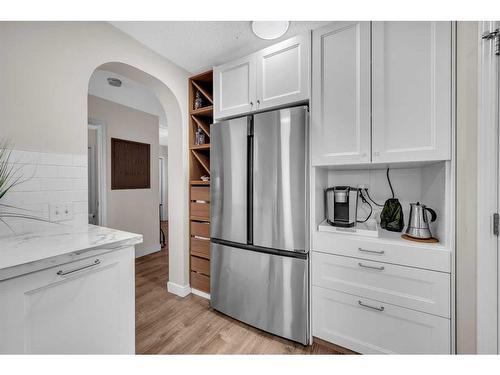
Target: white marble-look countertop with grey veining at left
29 252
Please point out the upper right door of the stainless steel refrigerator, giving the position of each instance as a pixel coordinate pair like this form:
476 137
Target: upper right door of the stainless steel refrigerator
279 179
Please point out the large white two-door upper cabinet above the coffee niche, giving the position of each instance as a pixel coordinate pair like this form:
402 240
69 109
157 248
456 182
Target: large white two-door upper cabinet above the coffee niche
381 92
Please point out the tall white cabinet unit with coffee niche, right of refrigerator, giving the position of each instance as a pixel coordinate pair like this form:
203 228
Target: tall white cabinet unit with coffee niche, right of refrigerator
382 96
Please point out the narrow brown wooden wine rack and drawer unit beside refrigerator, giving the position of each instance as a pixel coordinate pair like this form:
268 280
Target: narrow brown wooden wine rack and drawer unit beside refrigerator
199 190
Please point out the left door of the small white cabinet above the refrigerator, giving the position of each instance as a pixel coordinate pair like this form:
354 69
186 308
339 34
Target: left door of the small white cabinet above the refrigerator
234 87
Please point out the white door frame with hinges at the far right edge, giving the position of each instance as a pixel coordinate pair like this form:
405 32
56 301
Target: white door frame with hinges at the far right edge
488 196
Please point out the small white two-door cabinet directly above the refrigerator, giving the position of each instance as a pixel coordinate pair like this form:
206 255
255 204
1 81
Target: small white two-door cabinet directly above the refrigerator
273 77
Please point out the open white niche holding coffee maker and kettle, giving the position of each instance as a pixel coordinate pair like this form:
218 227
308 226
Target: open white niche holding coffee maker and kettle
424 183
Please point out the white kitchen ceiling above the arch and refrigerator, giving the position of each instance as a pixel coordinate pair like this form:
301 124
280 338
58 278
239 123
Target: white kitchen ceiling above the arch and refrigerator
199 45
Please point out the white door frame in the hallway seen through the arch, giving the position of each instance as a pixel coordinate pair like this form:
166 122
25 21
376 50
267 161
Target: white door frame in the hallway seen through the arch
102 169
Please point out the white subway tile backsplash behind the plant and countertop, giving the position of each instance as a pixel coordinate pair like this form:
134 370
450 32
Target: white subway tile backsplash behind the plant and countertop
49 179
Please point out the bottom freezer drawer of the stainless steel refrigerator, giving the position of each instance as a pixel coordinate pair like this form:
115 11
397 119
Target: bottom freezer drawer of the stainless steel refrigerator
267 291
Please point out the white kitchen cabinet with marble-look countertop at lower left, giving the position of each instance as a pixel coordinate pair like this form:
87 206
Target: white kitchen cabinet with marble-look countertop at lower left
68 290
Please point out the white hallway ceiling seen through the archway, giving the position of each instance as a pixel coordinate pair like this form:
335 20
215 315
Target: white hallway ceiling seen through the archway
131 94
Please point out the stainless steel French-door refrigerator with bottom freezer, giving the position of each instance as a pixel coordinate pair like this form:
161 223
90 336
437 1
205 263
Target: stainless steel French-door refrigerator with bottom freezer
259 243
